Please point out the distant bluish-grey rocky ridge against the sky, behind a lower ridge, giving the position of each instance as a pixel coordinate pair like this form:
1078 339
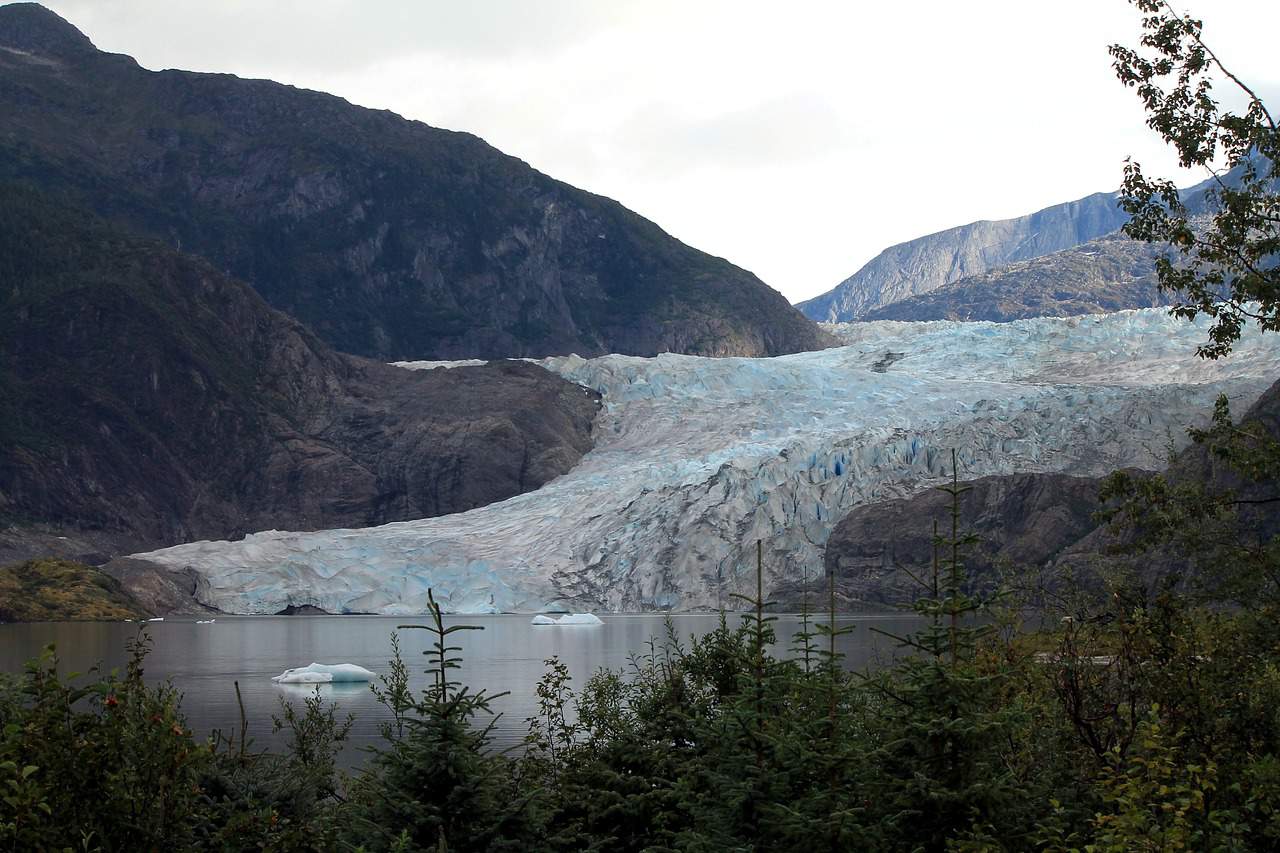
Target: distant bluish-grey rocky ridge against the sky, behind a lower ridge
927 263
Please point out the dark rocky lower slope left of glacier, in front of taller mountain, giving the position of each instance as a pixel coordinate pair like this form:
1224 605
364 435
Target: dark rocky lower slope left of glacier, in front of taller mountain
149 399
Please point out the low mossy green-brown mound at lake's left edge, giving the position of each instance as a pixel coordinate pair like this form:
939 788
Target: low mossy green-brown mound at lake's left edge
62 591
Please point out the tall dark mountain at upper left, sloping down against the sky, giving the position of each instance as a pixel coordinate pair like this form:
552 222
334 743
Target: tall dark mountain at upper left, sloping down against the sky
390 239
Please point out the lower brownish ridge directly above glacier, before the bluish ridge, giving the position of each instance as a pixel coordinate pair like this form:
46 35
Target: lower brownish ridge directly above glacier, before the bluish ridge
1108 275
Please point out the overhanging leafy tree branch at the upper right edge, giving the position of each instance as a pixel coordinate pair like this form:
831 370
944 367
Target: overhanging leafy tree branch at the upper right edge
1226 244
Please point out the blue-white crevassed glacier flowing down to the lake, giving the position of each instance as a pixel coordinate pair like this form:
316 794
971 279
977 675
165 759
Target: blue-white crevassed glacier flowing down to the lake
698 459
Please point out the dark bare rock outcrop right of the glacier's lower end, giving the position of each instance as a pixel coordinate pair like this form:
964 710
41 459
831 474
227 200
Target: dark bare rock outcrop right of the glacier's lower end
1023 522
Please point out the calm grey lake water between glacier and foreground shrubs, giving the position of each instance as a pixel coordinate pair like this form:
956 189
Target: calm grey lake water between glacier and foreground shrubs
204 662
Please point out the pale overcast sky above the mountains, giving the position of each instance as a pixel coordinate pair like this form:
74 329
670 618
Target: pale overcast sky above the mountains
796 139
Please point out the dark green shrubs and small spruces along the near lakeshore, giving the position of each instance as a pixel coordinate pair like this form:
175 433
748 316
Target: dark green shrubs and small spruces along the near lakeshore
1153 726
